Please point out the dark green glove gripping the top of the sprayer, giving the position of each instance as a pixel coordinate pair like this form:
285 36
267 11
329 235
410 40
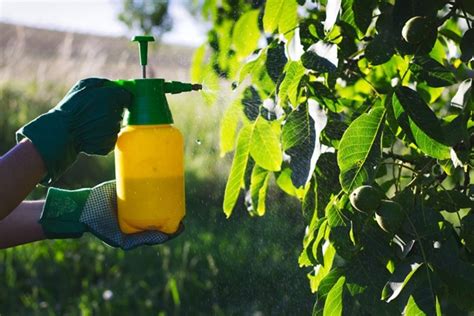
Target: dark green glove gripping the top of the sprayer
86 120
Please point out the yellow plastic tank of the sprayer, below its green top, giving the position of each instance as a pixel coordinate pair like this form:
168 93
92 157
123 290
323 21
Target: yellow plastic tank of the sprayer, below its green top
149 168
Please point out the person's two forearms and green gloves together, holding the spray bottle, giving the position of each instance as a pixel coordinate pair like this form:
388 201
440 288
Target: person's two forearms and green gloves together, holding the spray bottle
86 120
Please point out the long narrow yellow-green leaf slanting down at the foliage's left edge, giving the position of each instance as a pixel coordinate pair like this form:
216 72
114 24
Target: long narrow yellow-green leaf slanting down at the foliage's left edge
237 170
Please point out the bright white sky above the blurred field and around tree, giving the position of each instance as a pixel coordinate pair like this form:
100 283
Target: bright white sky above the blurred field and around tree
96 17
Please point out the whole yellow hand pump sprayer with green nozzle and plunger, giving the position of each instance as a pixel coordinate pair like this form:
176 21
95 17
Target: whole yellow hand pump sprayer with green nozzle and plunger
149 155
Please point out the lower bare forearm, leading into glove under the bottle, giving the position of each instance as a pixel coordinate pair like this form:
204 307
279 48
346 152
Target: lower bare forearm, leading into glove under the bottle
21 226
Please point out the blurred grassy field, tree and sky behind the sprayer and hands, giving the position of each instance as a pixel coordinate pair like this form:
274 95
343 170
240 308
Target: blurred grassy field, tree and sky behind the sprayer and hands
243 266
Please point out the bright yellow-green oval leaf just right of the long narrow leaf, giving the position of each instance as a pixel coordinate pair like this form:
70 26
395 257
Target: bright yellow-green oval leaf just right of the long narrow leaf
265 146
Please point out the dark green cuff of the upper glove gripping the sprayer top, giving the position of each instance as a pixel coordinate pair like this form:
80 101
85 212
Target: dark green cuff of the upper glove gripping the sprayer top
53 143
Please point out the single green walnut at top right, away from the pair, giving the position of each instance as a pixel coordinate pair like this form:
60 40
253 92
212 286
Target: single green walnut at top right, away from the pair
419 29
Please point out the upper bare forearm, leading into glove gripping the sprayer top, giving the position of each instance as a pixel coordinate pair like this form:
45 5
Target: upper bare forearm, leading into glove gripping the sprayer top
20 171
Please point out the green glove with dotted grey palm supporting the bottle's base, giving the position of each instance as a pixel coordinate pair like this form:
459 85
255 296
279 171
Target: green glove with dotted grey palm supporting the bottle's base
69 214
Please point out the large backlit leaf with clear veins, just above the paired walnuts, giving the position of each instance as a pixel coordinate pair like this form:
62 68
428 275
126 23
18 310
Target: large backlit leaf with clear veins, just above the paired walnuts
359 150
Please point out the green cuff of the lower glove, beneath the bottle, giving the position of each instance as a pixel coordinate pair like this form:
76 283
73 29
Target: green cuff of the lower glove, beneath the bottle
61 213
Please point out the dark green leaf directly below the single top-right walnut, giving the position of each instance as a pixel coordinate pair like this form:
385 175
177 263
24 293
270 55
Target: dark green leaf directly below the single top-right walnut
432 72
